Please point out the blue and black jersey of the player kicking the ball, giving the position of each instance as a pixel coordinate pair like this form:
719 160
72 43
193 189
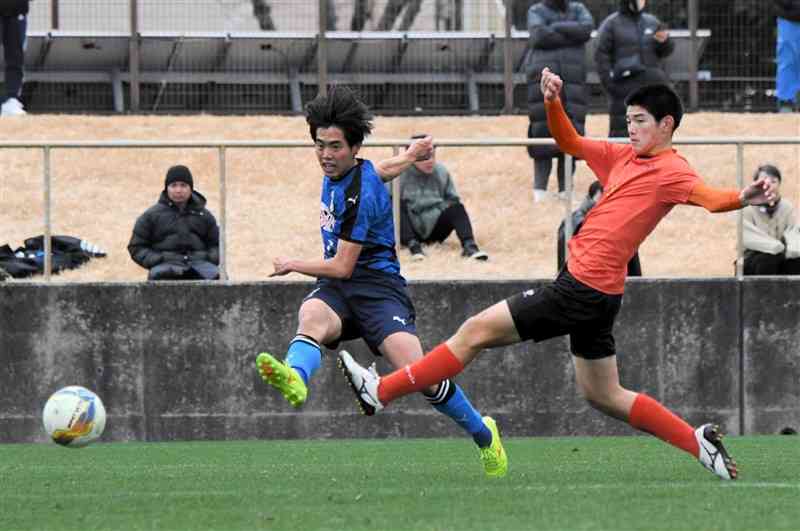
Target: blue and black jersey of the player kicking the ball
357 208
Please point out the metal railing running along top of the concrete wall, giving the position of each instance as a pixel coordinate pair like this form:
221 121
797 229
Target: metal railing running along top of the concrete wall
221 146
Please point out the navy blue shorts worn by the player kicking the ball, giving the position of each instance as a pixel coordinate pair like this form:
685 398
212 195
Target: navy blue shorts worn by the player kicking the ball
372 305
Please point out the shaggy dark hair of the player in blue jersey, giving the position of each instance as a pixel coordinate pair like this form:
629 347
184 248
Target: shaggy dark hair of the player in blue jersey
340 108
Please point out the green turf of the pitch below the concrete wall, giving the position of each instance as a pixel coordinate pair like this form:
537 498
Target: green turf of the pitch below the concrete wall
557 484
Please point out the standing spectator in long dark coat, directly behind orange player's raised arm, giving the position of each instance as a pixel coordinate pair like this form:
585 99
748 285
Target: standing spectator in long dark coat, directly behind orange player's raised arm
558 30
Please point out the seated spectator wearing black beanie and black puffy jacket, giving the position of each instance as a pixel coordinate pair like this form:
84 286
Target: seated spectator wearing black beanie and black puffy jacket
177 238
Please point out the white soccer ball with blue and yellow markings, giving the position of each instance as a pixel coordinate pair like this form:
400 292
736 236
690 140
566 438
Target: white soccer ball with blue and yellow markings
74 416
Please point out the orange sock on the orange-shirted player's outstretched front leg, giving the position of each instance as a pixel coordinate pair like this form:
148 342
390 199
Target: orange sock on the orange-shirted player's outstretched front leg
437 365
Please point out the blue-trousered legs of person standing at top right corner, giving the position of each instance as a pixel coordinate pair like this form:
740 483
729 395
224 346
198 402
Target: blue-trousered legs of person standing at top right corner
787 81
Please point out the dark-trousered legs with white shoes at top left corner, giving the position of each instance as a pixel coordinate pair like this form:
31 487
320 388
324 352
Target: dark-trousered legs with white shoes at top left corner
13 29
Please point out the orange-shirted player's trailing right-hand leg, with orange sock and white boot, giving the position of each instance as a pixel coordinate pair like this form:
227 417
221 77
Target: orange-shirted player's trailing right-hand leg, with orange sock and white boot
598 381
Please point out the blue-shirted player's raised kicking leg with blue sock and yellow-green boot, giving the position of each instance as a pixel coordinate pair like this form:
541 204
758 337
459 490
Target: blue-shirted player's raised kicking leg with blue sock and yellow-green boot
318 323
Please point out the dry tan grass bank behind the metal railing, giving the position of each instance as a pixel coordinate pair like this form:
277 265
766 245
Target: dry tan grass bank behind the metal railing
273 195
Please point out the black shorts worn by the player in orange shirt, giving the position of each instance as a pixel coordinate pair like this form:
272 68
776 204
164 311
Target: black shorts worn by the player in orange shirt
568 307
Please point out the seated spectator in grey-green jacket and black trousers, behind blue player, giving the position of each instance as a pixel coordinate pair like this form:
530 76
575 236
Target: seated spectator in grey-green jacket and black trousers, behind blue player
430 209
